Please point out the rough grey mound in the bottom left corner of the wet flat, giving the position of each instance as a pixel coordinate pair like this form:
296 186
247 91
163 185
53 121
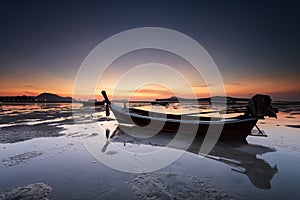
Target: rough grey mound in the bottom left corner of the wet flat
37 191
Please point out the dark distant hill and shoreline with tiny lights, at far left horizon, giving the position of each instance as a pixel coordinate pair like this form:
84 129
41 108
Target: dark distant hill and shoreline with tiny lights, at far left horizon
44 97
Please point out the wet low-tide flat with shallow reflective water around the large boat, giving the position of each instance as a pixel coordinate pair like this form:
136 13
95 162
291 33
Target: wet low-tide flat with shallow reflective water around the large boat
47 151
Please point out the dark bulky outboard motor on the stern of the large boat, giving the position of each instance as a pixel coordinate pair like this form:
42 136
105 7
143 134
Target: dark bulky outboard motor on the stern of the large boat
260 106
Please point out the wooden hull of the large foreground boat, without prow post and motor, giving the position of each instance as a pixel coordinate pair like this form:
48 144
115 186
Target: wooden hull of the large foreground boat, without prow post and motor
234 128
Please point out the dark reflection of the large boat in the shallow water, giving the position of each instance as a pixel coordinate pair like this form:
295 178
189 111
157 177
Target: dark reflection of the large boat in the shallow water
240 156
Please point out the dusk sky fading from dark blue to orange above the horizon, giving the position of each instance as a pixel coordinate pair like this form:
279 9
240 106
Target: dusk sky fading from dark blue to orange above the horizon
255 44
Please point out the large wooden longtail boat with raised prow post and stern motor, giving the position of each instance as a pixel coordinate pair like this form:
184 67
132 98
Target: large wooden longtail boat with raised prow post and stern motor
236 128
